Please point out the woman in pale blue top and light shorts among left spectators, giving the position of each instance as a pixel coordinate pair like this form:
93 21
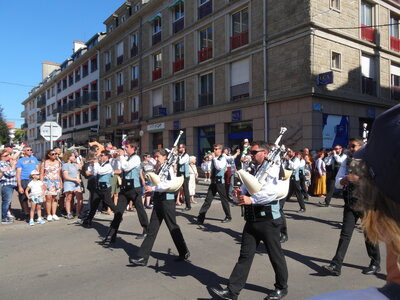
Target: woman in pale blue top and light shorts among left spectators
72 184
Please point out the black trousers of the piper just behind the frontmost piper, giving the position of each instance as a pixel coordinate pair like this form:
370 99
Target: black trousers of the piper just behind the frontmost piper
162 210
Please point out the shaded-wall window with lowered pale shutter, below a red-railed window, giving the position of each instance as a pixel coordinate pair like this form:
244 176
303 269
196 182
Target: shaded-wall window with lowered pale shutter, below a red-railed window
240 74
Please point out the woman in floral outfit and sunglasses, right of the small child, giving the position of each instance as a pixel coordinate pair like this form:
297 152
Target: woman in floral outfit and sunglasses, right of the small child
50 175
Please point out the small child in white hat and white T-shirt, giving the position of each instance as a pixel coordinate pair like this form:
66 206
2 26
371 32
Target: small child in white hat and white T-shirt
34 192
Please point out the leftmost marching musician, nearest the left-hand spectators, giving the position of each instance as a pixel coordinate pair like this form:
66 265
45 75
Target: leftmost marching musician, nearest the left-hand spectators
103 173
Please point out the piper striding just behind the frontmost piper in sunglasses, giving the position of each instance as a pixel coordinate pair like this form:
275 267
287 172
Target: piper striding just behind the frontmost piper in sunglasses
164 209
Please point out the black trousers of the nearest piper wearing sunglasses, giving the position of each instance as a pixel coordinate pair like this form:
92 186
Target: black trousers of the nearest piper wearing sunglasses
254 232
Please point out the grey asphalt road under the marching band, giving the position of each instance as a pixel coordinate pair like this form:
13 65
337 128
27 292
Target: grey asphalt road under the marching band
61 260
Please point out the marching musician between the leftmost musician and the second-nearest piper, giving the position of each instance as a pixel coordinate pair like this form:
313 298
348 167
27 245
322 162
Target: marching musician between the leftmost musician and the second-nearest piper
131 189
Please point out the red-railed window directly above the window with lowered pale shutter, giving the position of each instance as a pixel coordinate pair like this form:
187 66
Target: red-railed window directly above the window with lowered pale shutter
240 28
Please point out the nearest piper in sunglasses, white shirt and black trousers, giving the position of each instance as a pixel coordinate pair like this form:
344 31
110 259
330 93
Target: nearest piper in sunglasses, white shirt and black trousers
263 223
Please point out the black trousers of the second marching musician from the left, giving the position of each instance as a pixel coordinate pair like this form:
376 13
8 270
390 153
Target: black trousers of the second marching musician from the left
123 198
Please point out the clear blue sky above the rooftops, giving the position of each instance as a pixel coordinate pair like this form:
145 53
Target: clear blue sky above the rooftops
37 31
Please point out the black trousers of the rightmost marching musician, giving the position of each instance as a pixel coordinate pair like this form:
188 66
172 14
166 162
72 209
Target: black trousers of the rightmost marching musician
350 218
